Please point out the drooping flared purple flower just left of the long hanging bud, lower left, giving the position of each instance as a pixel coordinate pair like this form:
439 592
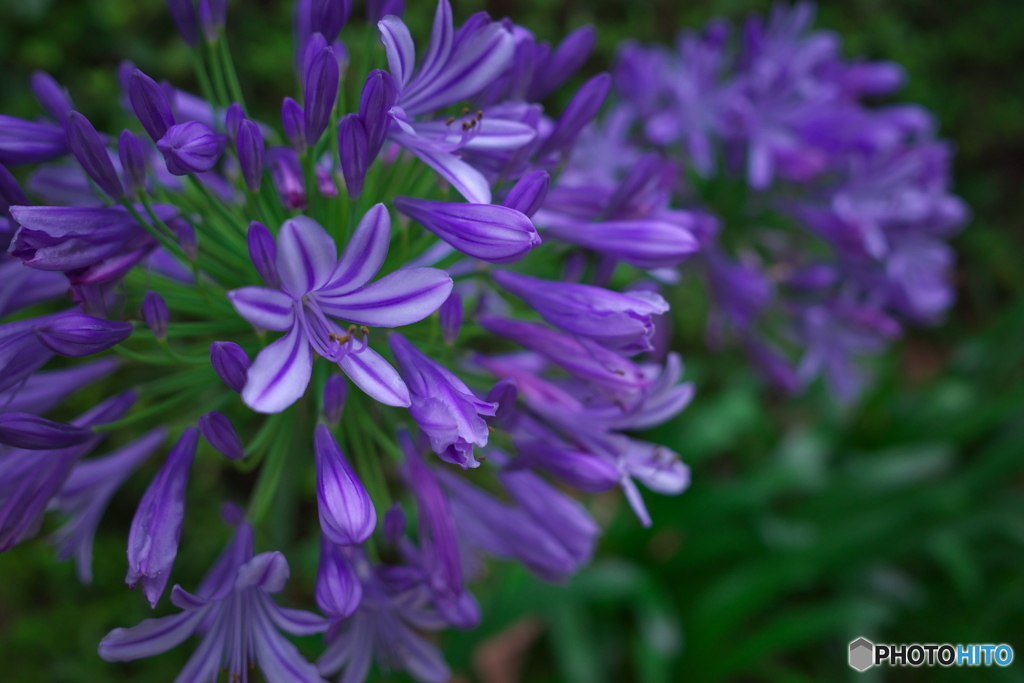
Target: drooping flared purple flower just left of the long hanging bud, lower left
86 495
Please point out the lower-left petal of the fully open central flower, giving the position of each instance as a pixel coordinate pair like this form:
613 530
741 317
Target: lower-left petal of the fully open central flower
280 375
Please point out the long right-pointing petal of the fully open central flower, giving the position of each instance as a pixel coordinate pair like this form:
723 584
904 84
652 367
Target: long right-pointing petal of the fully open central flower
401 298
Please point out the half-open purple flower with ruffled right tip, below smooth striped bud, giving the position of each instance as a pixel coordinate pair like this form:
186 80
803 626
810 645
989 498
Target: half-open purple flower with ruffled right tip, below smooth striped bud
619 322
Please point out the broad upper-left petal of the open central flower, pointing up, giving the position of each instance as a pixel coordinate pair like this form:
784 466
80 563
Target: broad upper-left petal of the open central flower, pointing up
307 257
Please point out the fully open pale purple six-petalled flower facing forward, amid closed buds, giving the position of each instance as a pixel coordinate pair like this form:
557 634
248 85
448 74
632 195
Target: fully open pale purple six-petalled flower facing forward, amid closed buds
318 287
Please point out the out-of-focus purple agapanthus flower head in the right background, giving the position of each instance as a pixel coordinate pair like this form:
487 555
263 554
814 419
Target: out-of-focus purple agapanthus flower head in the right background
832 211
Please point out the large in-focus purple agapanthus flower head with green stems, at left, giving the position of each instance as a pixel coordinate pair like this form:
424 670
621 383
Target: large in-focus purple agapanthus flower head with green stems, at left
227 278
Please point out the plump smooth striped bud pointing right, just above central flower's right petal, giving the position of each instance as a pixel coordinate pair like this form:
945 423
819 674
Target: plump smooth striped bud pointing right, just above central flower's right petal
494 234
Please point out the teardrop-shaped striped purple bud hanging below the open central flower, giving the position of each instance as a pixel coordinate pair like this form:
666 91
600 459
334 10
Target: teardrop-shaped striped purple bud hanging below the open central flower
347 514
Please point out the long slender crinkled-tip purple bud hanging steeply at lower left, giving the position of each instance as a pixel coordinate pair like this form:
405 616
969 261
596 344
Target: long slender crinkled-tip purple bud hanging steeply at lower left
156 530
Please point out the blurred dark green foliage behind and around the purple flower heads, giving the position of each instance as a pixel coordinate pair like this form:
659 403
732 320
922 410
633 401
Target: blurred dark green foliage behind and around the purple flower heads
901 520
